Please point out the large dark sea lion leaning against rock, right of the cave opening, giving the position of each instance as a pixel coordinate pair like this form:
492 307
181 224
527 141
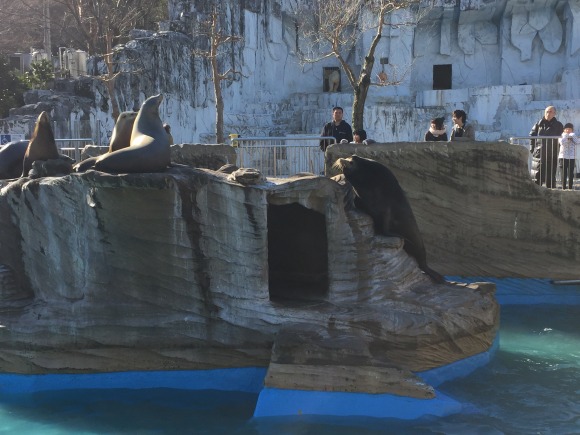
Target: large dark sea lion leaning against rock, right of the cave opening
378 193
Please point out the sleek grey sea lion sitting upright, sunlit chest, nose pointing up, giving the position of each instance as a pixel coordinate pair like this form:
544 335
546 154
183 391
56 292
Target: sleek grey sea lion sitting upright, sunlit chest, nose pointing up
149 149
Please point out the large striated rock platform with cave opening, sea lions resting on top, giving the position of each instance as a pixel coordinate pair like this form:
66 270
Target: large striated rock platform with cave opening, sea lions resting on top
190 270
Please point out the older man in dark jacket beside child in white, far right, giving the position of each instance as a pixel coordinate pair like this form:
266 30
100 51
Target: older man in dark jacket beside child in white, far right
545 151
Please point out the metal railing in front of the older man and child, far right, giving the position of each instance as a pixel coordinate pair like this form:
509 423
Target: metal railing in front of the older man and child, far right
543 161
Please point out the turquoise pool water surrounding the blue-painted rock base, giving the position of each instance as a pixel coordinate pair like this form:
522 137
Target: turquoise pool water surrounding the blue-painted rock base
531 386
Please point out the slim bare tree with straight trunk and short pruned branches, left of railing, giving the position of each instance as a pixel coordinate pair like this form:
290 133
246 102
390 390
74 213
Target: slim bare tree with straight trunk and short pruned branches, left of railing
220 44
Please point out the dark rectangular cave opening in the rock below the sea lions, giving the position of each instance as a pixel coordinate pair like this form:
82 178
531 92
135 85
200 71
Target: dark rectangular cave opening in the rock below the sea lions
297 253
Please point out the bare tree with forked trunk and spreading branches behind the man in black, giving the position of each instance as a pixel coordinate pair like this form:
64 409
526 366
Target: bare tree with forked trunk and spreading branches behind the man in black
334 29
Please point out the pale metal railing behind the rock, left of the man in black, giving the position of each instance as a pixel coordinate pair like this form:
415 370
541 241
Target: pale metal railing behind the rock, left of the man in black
281 156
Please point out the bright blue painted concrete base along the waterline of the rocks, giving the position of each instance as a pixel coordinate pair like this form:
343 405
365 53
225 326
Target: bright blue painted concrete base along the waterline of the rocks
278 402
